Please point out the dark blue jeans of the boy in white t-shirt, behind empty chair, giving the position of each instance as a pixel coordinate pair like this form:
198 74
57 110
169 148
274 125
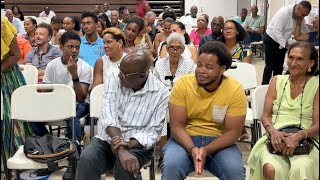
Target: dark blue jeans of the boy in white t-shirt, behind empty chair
40 129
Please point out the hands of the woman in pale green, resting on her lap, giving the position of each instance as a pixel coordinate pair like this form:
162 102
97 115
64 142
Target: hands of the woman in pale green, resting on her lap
284 142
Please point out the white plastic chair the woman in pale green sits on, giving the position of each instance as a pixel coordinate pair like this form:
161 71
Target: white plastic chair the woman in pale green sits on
257 104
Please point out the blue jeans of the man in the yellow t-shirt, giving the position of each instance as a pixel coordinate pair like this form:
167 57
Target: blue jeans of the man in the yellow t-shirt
226 164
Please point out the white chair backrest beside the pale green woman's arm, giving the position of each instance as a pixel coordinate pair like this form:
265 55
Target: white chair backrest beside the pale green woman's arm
257 102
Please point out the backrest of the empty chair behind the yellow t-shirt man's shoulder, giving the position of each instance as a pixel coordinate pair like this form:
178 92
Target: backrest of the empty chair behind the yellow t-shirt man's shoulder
244 73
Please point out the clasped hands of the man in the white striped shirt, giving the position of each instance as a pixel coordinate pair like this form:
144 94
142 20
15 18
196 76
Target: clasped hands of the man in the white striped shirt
120 148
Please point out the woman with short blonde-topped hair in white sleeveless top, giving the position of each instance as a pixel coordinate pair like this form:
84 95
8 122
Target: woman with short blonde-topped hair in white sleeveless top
114 41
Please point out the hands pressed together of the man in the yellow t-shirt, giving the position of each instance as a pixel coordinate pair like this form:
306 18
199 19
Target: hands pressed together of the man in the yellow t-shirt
199 155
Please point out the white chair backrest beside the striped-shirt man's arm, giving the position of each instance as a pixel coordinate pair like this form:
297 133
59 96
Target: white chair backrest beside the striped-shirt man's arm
96 100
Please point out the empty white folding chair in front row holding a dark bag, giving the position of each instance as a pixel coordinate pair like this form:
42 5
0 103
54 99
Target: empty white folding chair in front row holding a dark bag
40 103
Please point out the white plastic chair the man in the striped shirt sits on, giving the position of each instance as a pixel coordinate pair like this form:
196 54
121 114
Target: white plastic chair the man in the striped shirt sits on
96 101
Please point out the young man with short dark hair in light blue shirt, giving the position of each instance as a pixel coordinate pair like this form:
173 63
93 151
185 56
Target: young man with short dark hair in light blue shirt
91 48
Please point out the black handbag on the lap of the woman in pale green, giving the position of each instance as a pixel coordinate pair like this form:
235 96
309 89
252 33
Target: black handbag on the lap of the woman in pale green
304 147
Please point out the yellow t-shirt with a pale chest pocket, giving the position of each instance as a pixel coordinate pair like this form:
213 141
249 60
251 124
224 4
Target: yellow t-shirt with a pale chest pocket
206 111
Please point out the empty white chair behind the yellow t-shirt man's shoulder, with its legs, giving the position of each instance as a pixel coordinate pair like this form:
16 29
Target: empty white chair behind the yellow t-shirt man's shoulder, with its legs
246 75
